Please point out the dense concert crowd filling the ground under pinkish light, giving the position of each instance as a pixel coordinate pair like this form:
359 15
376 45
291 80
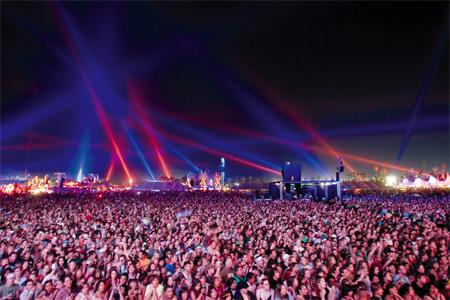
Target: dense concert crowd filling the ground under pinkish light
208 245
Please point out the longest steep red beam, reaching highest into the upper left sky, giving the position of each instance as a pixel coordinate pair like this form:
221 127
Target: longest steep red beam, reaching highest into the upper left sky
95 100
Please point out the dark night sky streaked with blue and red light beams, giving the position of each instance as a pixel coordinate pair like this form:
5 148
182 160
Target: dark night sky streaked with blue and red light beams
195 81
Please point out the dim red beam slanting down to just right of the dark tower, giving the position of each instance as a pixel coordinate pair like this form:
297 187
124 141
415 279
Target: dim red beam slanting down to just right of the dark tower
278 101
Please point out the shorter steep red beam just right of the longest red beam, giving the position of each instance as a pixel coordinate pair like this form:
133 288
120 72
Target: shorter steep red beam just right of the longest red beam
136 99
